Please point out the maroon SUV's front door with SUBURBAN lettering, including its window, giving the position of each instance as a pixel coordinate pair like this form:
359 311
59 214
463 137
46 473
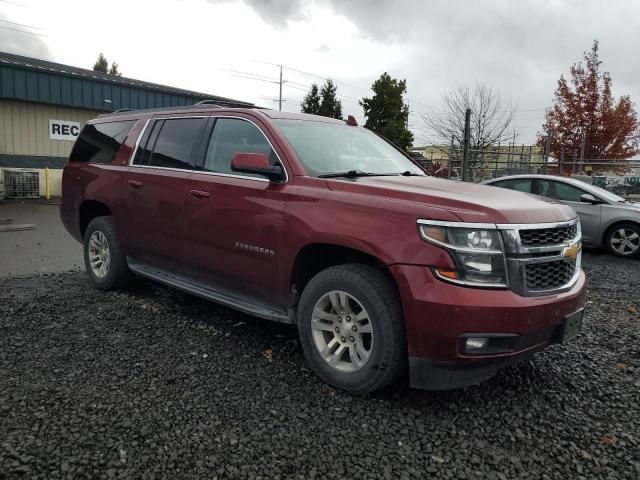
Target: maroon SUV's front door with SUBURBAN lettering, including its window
235 221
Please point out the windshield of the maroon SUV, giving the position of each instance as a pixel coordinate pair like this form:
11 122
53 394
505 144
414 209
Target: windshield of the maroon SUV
325 148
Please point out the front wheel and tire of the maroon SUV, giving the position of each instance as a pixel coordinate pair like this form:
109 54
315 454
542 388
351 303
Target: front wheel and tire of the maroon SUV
351 328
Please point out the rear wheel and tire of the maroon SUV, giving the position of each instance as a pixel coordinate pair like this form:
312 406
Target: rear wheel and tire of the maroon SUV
104 259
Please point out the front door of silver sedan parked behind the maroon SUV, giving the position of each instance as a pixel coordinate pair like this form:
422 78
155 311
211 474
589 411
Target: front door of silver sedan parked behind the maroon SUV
590 214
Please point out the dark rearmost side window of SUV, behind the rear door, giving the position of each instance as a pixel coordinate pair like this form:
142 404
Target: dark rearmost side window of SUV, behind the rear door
98 143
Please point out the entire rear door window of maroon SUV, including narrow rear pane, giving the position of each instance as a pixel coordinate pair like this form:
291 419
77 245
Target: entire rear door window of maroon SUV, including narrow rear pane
170 143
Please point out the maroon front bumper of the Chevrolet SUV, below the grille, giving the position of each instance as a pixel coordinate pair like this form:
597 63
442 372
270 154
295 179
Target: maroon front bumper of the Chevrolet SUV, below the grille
438 315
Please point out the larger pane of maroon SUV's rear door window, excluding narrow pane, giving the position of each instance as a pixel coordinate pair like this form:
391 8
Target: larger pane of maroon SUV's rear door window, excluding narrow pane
175 142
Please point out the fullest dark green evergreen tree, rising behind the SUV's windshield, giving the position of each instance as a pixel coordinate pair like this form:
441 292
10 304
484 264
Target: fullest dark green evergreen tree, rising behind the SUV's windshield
386 112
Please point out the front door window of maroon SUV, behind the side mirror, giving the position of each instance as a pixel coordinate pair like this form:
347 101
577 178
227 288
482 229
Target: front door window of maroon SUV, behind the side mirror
231 136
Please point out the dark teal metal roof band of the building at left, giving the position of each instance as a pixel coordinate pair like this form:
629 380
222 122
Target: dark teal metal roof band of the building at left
34 80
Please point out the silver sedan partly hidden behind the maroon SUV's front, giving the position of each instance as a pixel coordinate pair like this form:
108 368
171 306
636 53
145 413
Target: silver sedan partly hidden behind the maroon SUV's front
607 219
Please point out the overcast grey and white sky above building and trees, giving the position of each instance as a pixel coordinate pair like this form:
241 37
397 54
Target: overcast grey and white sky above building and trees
519 47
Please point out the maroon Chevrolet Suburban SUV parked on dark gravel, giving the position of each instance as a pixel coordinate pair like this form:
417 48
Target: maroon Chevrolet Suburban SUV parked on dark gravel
323 224
